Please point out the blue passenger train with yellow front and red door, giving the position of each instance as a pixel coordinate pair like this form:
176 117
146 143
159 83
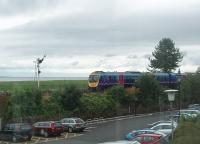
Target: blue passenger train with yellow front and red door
100 80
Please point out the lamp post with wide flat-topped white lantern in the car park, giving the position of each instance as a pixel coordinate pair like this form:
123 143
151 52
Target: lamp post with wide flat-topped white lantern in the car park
171 98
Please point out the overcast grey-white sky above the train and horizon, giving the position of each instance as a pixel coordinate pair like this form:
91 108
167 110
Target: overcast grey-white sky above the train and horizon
81 36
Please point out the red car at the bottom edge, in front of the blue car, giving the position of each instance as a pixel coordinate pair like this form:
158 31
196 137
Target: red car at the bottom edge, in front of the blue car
148 138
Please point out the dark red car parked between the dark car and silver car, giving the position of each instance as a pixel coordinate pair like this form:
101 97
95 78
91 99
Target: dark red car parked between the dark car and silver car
48 128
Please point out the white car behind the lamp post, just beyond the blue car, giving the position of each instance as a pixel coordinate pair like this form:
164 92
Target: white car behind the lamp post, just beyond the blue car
165 128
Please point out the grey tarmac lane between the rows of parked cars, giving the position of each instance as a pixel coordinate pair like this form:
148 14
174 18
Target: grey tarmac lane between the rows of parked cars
112 130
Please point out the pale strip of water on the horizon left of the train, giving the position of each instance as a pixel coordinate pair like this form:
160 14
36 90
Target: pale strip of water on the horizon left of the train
7 79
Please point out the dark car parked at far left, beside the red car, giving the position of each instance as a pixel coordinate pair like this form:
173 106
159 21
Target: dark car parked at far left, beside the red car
16 132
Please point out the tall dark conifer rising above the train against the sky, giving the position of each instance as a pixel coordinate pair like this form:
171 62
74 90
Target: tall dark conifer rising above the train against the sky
165 57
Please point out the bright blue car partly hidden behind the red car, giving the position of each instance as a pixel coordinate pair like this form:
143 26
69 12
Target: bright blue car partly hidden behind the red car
135 133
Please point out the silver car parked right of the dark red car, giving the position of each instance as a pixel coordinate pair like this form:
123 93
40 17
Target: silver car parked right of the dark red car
73 124
